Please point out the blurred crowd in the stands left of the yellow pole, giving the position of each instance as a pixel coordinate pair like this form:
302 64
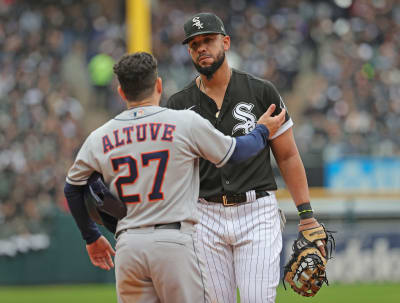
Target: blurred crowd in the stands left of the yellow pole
47 93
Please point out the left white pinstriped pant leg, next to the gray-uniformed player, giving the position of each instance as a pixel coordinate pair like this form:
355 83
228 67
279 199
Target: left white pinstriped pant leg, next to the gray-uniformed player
217 252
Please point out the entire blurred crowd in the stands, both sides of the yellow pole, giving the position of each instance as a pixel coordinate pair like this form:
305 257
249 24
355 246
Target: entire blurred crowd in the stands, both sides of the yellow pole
335 63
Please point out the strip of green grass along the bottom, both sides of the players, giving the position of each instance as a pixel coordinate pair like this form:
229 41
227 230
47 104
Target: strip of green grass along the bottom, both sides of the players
364 293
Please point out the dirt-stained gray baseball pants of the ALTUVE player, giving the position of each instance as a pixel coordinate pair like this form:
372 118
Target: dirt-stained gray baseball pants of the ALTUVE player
159 265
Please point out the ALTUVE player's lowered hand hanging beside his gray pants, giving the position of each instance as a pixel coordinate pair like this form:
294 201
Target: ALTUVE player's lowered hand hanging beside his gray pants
100 252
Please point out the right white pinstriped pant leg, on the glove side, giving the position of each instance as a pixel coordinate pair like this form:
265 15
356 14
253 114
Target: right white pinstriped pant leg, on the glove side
257 253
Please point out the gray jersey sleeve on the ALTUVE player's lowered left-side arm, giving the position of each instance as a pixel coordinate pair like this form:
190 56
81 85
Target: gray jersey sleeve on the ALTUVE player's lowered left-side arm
83 166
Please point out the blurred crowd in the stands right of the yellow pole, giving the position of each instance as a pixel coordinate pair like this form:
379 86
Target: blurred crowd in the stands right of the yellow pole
336 64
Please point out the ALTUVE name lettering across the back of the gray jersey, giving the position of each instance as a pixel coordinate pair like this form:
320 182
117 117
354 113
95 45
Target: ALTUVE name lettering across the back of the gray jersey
138 133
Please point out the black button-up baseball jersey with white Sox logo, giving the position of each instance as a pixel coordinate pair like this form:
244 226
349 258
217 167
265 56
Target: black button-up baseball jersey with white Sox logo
246 99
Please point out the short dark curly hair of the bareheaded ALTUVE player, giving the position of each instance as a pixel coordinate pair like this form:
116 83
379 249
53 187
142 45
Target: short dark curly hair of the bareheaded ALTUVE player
137 74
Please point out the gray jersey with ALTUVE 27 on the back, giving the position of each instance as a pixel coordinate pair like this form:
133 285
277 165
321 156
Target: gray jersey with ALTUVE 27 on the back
149 156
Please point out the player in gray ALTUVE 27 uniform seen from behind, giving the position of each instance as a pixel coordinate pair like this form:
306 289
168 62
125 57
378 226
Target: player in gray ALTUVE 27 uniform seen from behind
149 157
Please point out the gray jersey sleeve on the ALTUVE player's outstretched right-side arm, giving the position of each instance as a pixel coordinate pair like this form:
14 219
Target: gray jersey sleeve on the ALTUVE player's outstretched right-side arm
209 143
